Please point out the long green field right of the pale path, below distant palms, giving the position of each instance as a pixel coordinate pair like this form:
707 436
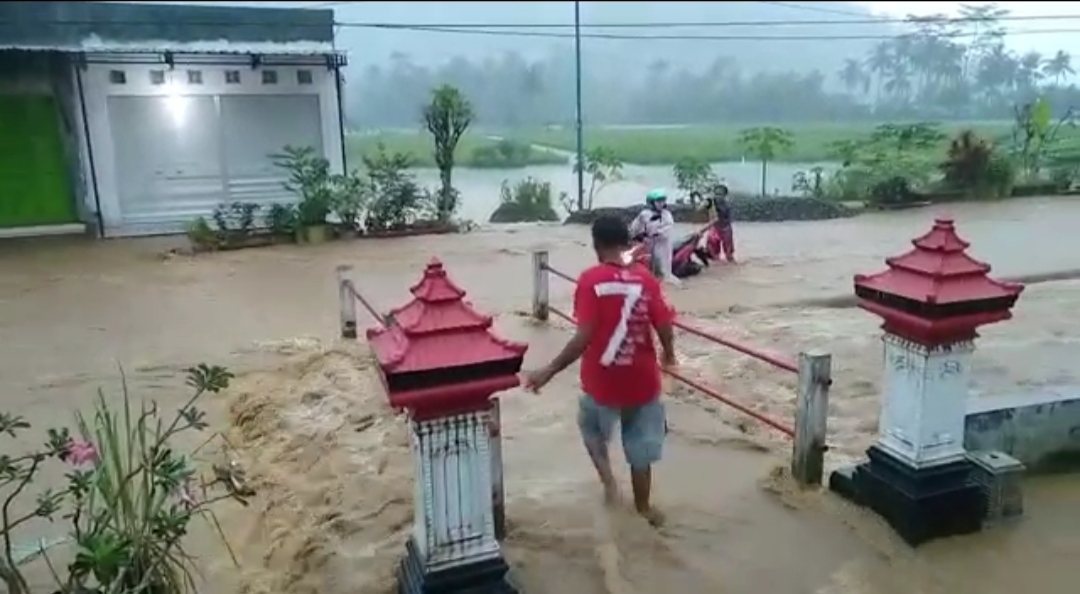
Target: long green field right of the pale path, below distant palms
665 146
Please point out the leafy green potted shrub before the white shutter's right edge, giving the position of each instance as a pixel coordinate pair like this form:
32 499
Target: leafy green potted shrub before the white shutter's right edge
309 178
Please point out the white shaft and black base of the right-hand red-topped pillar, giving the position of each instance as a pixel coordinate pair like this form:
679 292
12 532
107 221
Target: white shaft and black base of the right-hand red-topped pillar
917 476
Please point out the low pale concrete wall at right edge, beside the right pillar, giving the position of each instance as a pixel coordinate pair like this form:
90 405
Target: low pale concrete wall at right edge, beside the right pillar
1043 430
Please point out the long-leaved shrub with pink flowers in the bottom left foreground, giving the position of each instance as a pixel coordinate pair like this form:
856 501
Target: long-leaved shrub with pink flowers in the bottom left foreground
130 496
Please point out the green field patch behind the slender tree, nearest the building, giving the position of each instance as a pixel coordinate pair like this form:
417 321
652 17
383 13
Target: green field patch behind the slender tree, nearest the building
475 151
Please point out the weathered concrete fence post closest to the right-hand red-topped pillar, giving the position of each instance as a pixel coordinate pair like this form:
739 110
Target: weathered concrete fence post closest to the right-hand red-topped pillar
812 418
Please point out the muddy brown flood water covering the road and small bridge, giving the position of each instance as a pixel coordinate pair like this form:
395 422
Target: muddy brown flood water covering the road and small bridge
332 465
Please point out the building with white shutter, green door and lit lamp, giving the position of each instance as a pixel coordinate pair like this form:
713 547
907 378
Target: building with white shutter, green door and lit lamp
133 119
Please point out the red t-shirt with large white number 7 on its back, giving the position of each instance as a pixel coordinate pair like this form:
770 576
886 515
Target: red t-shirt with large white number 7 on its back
625 304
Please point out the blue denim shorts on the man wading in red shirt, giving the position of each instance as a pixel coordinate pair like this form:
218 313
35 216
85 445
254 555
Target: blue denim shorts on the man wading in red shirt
643 429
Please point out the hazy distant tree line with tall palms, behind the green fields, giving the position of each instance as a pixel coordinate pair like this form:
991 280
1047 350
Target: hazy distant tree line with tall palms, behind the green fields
940 70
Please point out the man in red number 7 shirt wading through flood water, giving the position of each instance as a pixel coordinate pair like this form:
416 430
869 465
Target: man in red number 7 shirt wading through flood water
617 306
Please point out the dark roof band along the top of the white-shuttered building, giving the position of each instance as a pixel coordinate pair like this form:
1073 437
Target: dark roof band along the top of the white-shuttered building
117 28
